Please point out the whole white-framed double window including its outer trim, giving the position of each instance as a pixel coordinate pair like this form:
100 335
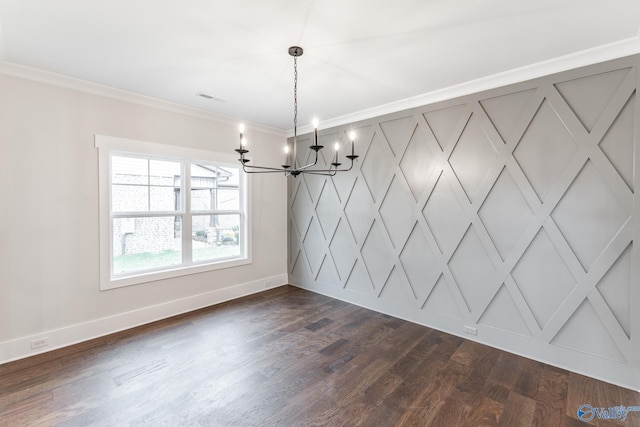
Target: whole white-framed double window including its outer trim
168 211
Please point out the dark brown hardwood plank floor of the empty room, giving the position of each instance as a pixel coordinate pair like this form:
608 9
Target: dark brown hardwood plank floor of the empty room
288 357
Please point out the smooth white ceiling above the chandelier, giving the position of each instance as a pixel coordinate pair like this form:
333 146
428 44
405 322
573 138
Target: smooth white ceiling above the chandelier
358 54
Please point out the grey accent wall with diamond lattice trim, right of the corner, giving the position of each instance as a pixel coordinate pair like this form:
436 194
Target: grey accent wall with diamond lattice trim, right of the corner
512 211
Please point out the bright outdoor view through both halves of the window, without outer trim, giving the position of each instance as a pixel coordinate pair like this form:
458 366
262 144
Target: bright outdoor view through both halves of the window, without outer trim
168 213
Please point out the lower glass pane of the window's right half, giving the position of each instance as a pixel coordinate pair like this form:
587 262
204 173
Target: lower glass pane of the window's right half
215 237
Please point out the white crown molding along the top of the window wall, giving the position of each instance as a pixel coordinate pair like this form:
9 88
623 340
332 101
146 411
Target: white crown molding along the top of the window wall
60 80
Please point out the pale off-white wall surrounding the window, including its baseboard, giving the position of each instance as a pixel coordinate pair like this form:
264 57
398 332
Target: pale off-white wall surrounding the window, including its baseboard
49 278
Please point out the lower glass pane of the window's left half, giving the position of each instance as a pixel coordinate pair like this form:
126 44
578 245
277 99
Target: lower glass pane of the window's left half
141 244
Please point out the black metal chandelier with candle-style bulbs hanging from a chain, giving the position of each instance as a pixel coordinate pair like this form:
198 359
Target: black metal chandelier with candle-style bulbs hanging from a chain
291 166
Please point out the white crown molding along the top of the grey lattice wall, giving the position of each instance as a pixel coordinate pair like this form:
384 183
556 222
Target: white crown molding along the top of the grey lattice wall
583 58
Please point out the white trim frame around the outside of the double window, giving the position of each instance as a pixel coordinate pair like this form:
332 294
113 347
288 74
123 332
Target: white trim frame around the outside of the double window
107 144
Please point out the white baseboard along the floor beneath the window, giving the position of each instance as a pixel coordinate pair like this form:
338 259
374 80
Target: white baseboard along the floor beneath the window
20 348
